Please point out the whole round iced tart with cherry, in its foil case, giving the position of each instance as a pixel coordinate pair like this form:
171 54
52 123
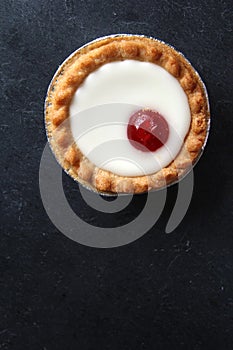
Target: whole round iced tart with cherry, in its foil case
127 114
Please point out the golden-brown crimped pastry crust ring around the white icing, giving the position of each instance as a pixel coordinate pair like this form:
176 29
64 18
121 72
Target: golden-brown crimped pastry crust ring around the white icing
74 71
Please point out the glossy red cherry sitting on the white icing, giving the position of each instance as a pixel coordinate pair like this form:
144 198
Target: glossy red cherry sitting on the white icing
147 130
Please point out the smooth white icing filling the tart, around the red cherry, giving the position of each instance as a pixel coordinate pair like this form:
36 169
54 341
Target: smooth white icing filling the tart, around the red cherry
103 104
